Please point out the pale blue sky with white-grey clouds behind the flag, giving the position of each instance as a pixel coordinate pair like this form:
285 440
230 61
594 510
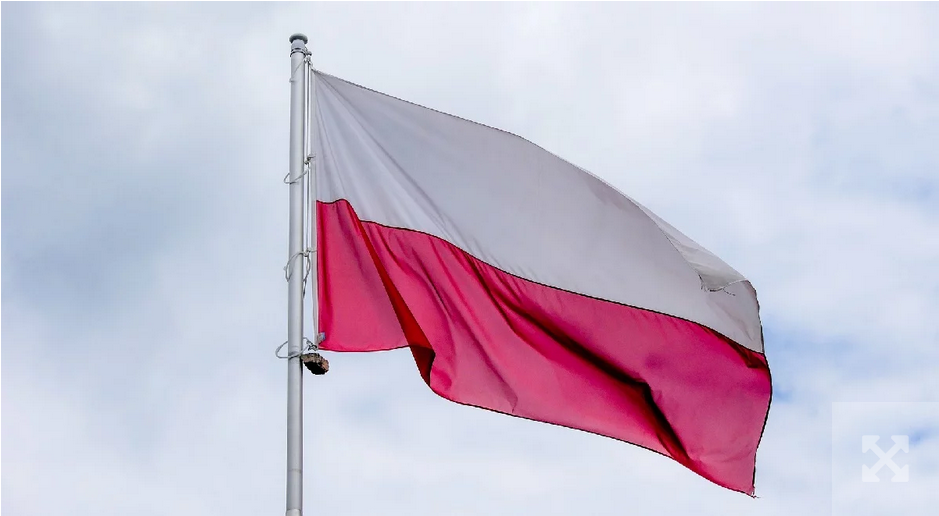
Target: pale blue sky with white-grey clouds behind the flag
144 228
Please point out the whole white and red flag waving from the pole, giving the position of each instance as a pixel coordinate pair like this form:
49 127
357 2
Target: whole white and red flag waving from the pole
525 285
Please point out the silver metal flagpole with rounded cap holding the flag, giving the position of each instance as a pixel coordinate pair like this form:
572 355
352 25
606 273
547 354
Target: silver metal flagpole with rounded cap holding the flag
298 53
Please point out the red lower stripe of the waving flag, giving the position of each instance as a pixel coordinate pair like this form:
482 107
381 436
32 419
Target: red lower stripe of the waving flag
483 337
